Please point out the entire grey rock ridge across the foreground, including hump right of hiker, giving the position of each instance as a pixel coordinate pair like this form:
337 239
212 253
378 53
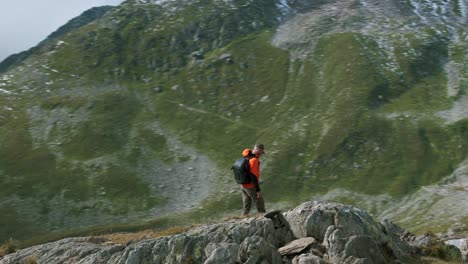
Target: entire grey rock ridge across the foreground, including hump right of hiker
314 232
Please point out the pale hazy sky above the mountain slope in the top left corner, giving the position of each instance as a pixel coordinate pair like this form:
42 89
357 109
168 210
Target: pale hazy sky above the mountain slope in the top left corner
25 23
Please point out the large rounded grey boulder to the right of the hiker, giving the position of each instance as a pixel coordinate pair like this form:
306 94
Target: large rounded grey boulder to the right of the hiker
349 234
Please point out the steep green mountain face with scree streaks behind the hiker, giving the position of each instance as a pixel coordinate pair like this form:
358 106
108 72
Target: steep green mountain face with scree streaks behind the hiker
141 112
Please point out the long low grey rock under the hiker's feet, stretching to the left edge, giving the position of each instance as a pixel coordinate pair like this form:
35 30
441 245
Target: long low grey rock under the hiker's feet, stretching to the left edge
252 240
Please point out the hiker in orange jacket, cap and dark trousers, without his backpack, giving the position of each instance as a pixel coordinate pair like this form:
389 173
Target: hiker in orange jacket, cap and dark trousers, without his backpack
251 191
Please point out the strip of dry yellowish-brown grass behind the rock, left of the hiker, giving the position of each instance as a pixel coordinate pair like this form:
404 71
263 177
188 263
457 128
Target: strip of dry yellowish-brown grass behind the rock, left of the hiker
125 238
